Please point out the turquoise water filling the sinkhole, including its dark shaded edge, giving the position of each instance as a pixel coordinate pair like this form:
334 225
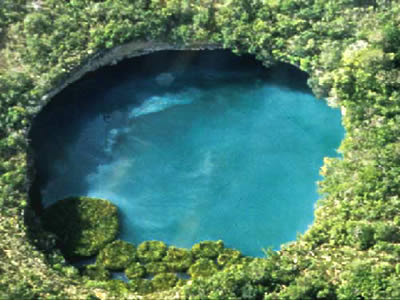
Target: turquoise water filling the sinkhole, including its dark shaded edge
191 146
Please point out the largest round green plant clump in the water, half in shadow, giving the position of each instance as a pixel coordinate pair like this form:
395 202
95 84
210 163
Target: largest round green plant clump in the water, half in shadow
82 225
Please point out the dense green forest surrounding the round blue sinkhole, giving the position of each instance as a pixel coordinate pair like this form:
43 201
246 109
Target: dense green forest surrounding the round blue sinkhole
350 48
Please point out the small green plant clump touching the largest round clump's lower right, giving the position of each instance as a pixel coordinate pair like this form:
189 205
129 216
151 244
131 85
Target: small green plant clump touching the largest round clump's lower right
117 256
